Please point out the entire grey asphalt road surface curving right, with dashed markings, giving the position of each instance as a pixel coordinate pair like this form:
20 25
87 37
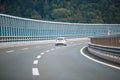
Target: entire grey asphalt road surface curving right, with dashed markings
49 62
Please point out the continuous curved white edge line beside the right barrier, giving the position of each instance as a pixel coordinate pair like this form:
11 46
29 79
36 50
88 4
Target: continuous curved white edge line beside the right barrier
100 62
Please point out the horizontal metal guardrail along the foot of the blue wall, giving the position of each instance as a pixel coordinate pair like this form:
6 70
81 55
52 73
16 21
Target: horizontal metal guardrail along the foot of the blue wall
36 38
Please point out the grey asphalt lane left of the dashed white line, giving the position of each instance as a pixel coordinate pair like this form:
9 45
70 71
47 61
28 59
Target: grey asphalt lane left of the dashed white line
17 65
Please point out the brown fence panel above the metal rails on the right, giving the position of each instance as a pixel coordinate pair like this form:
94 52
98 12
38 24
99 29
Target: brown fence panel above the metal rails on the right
111 40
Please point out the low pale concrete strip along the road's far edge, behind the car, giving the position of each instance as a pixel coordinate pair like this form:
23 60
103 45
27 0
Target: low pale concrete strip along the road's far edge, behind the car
34 43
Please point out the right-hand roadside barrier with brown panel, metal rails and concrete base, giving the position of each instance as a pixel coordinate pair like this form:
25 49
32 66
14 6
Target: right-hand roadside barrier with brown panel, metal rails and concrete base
106 51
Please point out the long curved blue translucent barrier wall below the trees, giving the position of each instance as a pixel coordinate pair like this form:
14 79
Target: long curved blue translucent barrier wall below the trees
16 29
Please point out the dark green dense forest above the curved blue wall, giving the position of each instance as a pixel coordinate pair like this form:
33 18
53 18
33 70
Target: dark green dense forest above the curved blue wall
79 11
